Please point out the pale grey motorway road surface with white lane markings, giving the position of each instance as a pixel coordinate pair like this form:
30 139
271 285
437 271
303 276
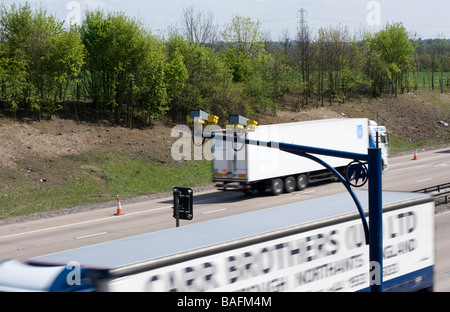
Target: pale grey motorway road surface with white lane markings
25 240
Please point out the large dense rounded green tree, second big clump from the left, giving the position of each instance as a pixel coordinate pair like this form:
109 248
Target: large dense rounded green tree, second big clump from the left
120 51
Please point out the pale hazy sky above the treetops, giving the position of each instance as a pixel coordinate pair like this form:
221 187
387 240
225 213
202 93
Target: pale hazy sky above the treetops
423 19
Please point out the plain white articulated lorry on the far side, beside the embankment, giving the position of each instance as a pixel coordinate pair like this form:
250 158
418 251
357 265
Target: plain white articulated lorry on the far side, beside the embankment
250 167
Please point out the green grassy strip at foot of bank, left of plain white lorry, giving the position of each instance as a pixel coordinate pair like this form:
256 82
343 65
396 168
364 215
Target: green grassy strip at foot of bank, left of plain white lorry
95 178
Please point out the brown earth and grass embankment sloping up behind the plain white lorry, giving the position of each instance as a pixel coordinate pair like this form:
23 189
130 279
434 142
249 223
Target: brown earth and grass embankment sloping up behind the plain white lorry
50 166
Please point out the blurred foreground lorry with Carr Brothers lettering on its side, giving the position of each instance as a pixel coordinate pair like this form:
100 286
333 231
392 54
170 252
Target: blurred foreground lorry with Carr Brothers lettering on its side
314 245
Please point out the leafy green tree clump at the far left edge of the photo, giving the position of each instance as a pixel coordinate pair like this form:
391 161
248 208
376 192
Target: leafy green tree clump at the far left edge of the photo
38 58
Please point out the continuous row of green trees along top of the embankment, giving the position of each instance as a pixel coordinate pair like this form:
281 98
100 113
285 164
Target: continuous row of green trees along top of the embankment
113 68
